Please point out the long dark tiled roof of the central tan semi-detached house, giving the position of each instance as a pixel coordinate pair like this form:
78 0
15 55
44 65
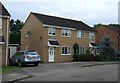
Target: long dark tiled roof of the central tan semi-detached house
63 22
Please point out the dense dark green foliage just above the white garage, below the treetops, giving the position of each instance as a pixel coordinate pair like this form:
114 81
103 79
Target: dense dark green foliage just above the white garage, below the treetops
15 38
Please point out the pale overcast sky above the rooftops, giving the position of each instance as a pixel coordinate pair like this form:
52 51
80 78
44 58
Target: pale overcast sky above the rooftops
89 11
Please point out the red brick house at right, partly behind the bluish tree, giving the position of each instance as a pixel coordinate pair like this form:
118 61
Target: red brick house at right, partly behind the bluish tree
113 31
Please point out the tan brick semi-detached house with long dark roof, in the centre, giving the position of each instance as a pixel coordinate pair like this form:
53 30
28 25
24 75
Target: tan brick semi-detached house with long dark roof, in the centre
53 37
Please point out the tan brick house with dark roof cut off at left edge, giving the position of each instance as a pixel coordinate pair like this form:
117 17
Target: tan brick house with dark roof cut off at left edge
4 34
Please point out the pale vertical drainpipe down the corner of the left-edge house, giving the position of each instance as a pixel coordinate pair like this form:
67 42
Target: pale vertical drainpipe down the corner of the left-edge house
7 41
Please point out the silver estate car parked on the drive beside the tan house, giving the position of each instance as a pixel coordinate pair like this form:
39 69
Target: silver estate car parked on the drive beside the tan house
22 58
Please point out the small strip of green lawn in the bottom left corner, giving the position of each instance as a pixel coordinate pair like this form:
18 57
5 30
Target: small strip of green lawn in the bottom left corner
9 69
